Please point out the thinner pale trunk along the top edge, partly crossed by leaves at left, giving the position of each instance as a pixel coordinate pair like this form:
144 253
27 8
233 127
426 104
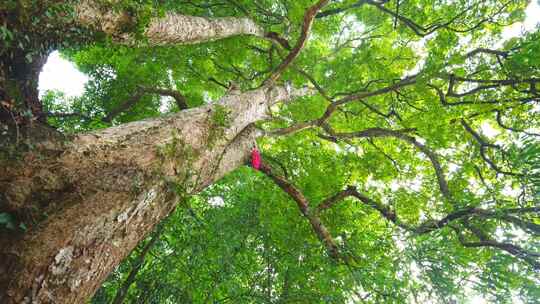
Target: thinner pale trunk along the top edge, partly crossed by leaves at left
170 29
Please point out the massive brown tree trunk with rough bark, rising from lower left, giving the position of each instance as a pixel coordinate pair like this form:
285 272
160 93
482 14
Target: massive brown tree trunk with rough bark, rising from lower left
104 191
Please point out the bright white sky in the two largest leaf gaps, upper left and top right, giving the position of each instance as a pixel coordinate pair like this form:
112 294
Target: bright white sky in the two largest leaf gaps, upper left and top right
60 74
